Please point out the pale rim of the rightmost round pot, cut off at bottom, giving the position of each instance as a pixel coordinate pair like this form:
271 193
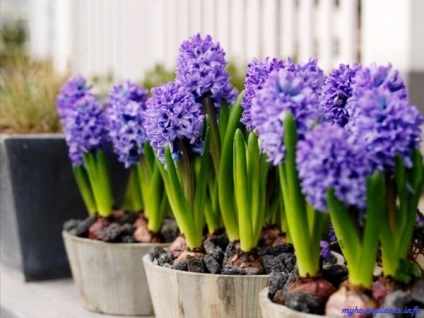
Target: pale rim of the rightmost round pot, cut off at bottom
272 310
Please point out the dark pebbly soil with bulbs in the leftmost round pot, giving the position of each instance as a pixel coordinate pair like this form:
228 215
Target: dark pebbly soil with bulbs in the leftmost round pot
121 227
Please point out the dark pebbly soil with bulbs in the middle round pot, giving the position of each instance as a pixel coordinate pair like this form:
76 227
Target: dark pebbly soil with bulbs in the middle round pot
219 256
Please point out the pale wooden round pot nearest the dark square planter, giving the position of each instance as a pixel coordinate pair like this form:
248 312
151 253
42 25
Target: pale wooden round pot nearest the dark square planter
110 277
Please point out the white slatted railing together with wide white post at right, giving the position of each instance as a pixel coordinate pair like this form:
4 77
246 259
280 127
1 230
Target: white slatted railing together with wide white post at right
129 37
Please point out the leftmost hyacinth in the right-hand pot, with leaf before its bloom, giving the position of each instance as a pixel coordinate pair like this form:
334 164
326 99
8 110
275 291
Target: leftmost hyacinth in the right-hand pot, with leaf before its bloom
283 110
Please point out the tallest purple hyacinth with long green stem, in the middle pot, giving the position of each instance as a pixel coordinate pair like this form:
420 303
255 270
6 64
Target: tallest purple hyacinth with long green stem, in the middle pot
201 69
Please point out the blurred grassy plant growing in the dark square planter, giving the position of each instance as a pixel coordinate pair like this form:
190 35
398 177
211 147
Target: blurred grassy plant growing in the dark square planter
28 97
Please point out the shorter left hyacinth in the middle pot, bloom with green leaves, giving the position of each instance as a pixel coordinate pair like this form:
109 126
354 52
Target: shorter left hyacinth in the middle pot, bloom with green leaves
175 126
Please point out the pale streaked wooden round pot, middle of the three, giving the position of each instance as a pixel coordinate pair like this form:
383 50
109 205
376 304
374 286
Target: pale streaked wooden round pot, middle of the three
184 294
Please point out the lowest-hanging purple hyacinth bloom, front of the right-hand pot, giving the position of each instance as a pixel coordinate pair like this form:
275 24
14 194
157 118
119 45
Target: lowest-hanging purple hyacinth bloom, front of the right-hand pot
330 157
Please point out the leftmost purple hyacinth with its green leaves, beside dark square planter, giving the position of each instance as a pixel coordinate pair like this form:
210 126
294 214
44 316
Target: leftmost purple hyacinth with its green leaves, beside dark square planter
84 124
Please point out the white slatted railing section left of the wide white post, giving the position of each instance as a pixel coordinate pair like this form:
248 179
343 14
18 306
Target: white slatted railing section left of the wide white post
129 37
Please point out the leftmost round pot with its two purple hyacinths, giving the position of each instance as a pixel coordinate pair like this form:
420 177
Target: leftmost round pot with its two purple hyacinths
103 249
